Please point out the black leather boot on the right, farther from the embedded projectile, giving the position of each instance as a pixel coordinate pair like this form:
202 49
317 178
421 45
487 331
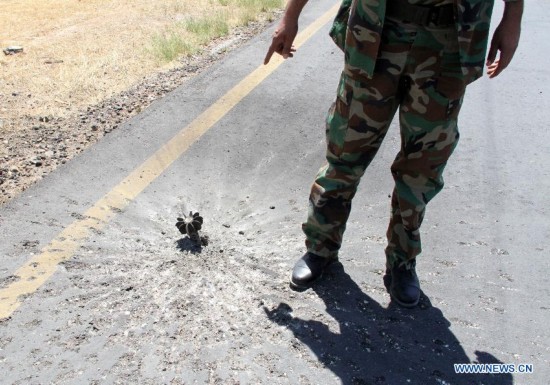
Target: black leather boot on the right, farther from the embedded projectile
402 283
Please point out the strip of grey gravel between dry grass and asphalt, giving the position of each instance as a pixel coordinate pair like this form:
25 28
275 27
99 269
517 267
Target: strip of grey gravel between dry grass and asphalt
40 145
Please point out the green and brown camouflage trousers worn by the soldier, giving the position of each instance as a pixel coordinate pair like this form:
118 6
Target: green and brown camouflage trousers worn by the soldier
418 73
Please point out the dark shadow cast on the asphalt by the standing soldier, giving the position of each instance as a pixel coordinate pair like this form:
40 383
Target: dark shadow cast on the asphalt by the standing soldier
377 345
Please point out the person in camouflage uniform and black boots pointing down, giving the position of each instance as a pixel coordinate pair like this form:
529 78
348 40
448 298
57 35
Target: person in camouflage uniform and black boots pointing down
411 56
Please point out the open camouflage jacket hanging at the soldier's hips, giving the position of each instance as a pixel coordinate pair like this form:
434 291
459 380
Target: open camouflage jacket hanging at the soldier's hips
358 26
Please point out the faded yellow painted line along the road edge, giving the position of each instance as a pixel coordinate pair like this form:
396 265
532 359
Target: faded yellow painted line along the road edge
42 266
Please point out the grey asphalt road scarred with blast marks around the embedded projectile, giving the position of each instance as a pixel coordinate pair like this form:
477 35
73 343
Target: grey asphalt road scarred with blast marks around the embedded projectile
97 286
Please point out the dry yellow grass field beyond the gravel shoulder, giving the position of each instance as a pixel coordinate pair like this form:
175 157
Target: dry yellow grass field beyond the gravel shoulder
79 52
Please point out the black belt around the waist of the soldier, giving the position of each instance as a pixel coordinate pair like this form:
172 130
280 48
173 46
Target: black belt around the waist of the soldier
420 14
